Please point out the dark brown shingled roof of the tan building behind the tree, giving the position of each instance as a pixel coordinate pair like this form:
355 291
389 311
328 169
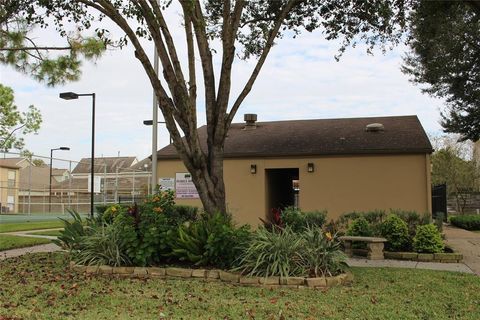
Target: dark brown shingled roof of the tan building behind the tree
372 135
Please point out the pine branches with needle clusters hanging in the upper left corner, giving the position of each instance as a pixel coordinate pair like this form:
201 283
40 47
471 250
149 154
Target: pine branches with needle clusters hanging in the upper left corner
51 64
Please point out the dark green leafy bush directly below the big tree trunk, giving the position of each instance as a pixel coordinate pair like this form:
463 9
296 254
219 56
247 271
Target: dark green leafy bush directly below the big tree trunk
212 240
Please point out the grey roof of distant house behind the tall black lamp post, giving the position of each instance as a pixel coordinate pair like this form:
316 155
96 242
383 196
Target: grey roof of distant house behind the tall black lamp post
104 164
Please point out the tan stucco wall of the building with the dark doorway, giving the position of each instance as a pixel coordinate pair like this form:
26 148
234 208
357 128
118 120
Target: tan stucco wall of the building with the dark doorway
338 184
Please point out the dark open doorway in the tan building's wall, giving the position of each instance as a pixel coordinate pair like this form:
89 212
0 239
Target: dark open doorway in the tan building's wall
280 192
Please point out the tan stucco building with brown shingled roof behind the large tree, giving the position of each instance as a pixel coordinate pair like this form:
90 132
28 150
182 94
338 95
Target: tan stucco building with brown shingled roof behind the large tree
340 165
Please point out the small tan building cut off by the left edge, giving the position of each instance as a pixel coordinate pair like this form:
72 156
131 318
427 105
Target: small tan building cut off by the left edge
9 177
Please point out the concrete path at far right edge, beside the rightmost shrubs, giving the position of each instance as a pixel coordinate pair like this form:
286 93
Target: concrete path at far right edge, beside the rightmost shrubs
467 243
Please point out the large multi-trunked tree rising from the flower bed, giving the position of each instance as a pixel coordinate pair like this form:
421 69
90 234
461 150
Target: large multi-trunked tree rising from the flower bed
246 29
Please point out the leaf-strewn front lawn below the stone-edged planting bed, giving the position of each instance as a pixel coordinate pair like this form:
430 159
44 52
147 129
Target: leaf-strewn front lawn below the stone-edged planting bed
41 286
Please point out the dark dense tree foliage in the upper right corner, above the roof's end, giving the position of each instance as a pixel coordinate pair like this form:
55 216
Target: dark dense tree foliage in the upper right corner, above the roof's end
445 59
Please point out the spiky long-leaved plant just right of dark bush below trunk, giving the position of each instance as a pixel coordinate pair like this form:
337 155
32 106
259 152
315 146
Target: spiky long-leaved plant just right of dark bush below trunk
273 253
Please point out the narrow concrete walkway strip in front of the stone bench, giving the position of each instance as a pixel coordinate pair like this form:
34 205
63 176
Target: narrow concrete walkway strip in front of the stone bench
454 267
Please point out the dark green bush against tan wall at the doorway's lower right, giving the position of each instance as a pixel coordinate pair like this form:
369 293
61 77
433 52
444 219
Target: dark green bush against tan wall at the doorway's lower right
298 220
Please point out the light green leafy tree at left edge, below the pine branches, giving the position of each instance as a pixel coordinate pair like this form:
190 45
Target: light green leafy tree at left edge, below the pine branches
15 124
